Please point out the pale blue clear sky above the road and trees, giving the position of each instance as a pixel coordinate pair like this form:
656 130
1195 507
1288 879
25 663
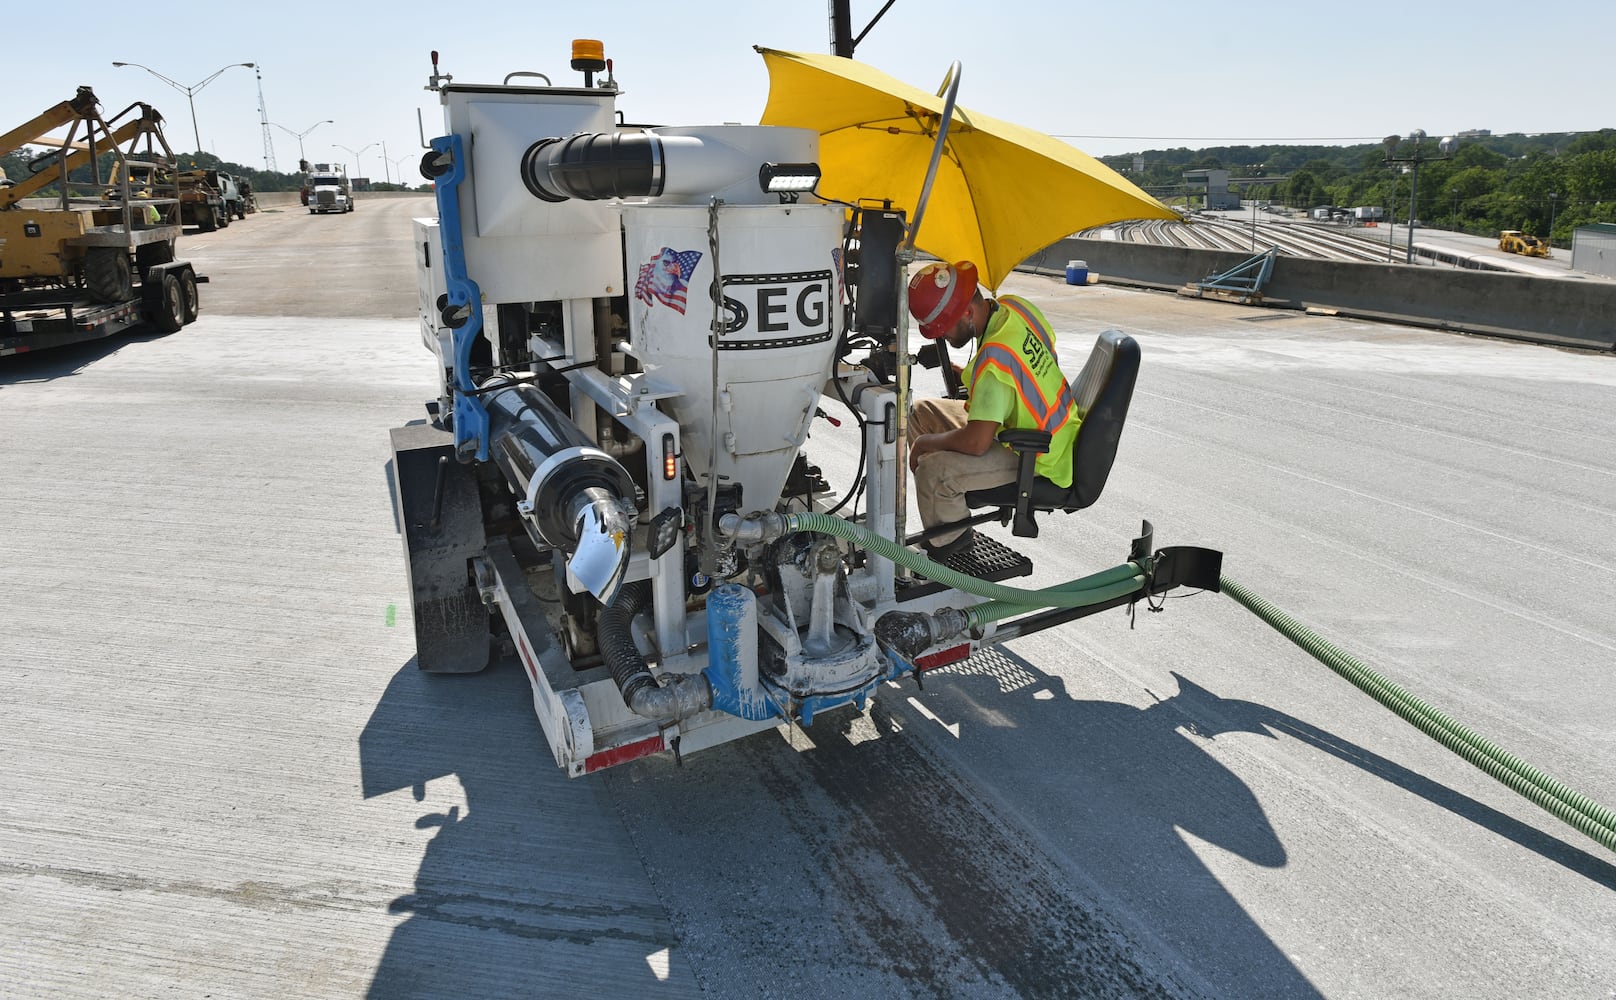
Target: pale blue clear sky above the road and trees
1105 78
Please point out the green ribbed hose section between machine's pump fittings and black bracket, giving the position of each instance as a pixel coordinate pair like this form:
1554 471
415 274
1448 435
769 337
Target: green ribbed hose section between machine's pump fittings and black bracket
1105 586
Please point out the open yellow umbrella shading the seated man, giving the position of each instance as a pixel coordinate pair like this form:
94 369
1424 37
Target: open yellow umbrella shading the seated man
1003 191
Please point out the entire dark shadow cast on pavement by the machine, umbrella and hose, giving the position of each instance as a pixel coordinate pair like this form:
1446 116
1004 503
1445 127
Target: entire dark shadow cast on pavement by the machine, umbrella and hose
865 839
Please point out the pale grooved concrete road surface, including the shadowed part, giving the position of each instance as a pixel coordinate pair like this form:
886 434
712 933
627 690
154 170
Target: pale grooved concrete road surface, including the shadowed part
224 776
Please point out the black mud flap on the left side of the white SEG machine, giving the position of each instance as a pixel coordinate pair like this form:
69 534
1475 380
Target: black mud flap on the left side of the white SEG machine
440 516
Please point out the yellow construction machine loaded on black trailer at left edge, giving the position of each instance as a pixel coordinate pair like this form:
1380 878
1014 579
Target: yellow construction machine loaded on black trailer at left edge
98 258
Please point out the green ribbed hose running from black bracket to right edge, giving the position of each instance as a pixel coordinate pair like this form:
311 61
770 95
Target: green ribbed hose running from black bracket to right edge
1576 810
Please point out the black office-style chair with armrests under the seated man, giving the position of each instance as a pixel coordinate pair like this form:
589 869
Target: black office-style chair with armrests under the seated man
1103 393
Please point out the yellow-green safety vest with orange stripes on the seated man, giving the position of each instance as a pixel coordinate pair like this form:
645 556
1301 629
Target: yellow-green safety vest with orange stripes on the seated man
1016 379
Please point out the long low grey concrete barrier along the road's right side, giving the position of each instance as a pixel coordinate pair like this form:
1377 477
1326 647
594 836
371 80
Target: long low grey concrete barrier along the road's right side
1555 311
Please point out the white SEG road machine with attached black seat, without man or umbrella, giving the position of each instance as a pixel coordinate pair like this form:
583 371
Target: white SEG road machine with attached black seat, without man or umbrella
636 329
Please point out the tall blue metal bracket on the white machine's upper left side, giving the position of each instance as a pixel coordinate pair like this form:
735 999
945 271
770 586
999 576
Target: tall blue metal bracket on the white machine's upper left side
465 305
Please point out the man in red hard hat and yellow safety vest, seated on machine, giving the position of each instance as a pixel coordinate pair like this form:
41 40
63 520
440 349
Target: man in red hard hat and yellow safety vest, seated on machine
1012 382
